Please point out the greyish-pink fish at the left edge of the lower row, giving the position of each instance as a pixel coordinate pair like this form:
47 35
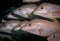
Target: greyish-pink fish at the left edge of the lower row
9 26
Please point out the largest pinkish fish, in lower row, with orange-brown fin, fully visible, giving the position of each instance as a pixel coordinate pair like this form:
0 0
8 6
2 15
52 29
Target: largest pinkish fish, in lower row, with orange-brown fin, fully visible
41 27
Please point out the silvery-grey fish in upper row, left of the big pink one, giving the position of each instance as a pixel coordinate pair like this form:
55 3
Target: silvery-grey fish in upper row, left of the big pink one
25 11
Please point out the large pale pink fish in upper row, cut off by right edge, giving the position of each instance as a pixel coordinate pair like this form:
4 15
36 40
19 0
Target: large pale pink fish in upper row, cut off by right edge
48 10
